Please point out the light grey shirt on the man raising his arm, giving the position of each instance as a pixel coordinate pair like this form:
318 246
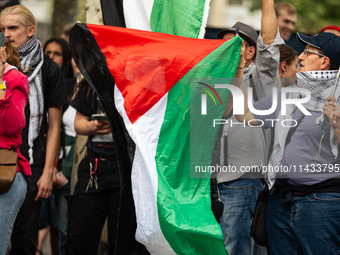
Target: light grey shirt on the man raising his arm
248 147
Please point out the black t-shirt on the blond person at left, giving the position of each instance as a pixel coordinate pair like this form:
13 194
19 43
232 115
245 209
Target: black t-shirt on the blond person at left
55 94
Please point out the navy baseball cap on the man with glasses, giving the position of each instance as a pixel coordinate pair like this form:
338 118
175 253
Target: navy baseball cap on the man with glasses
327 42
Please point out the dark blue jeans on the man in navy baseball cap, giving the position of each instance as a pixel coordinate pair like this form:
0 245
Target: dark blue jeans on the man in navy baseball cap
308 225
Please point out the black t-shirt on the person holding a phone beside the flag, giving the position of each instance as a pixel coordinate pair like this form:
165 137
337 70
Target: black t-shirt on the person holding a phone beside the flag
88 103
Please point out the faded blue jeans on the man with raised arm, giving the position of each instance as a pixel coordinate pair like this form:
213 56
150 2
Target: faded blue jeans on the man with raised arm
239 199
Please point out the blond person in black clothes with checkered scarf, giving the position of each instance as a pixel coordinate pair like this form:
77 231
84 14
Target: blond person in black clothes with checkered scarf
40 136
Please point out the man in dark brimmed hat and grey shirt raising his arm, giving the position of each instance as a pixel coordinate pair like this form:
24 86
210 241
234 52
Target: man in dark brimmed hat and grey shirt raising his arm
247 147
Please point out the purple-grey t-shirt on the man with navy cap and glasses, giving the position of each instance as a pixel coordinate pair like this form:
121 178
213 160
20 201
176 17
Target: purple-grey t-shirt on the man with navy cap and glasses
300 154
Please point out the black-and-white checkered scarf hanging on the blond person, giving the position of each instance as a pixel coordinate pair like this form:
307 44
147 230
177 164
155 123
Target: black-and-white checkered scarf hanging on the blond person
32 58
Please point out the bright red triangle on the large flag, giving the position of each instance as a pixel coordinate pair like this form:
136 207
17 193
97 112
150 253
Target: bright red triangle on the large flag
146 65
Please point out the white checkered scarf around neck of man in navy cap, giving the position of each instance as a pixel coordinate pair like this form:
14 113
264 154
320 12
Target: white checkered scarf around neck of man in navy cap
320 84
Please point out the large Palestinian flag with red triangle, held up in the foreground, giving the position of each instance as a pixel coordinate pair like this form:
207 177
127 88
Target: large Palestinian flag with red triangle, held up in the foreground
160 80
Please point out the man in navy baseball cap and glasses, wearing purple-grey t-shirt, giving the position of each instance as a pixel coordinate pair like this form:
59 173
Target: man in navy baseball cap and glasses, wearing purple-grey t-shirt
302 213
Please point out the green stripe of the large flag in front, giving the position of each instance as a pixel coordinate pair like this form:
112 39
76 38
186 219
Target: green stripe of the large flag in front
184 205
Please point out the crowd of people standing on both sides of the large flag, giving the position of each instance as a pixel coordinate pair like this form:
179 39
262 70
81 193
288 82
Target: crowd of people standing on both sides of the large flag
41 87
